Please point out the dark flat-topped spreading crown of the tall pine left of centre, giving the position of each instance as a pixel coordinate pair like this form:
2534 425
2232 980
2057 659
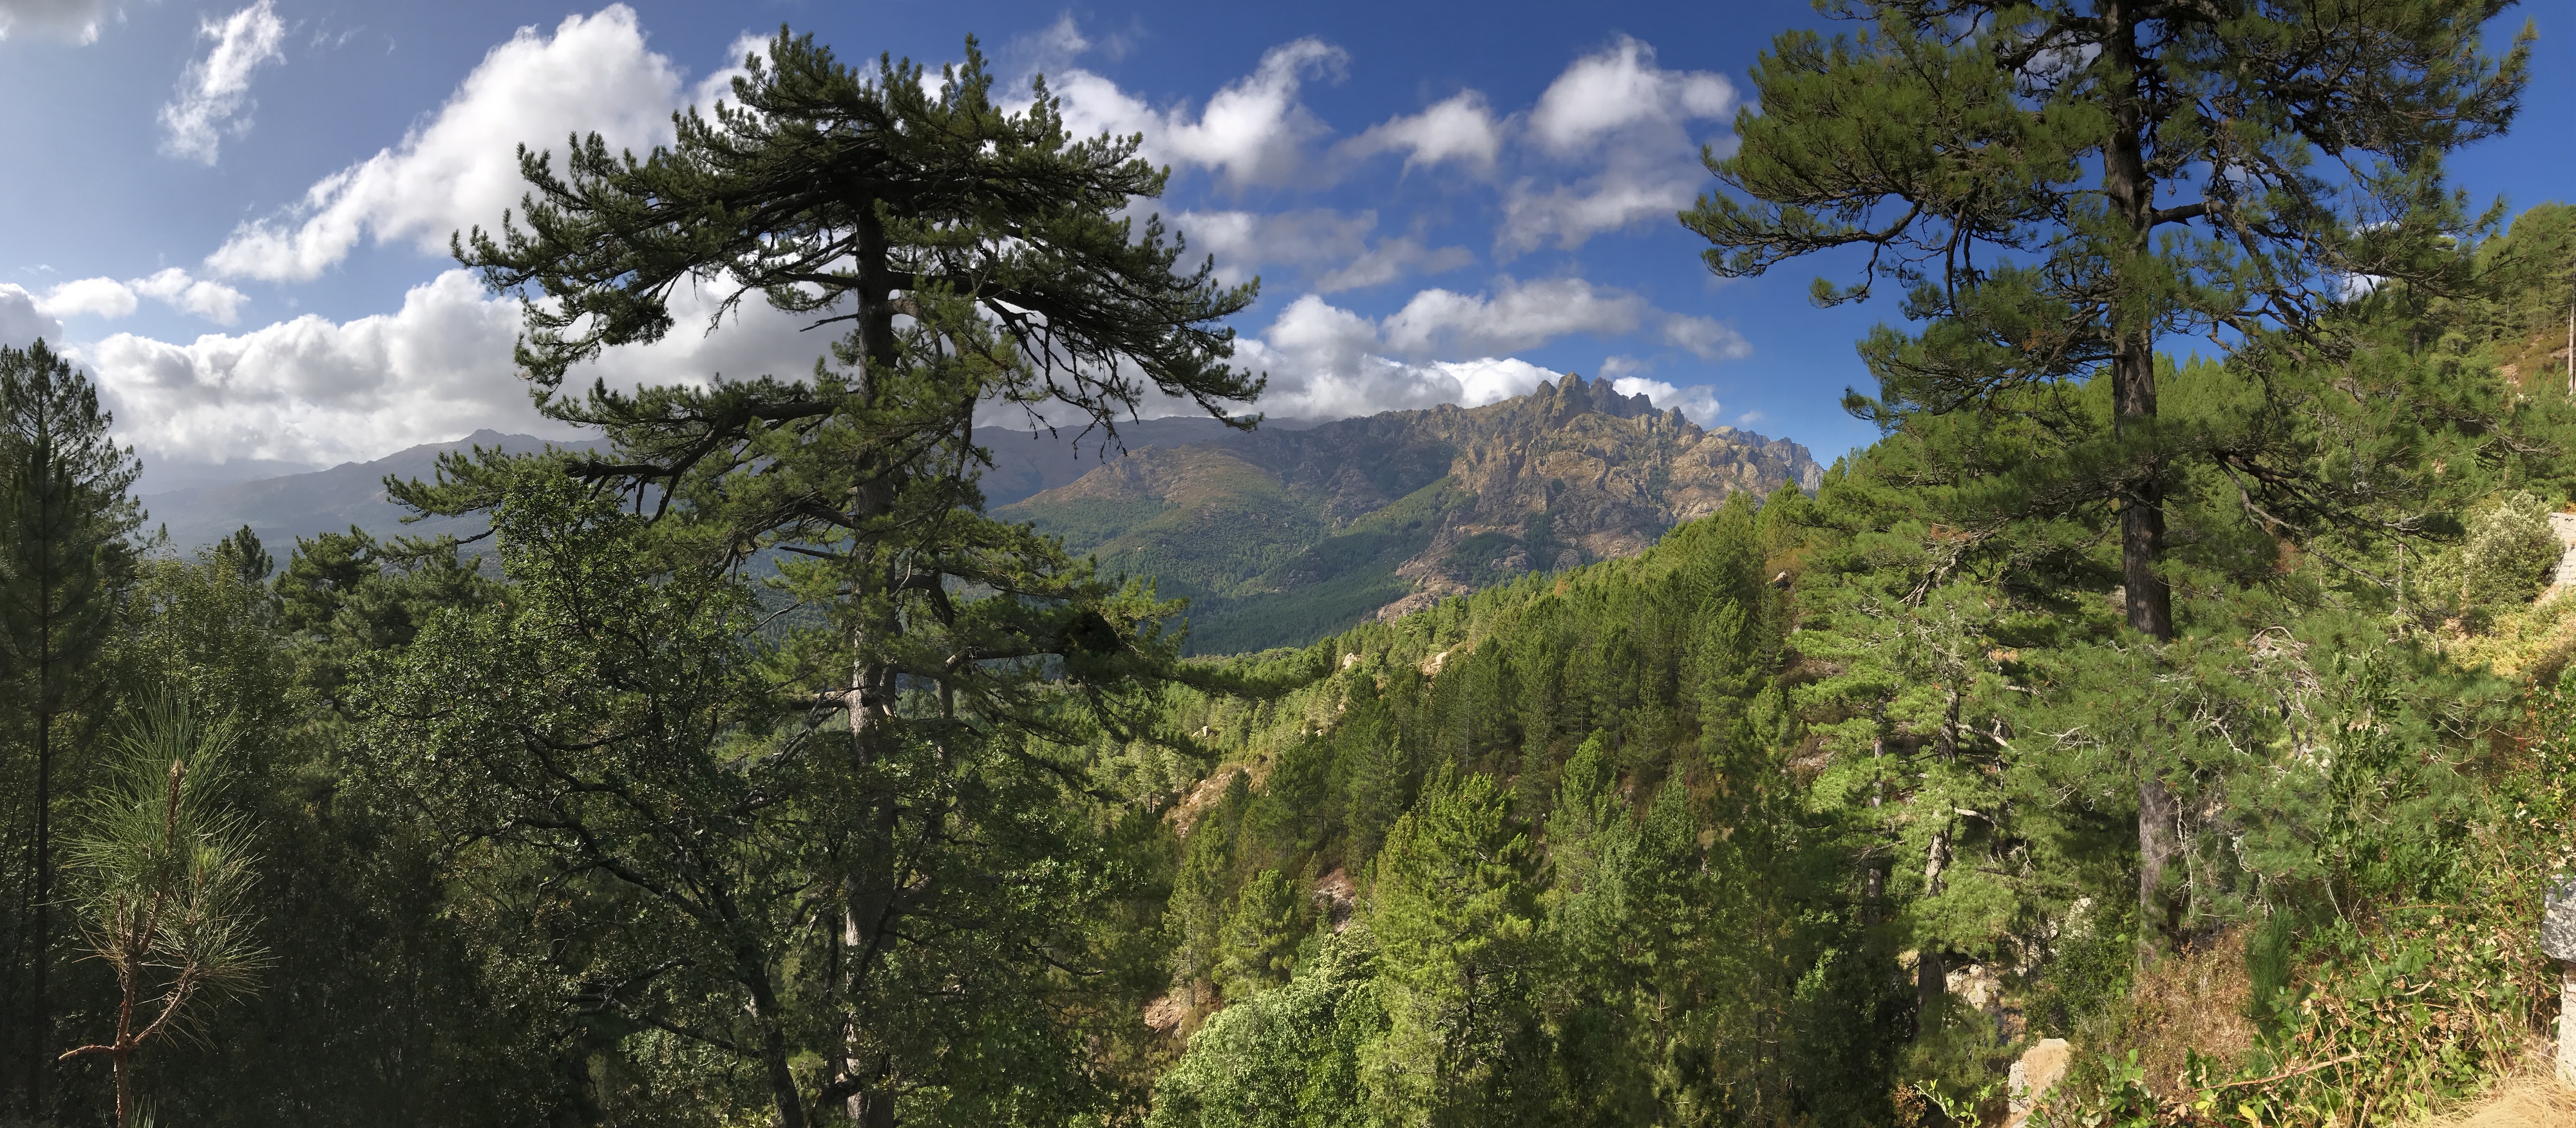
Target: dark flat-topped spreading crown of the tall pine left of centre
864 200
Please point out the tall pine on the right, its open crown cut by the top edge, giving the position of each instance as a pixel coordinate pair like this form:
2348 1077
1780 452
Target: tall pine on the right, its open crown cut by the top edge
2067 184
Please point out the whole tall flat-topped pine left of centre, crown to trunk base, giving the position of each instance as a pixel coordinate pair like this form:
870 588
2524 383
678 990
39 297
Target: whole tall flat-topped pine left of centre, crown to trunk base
978 259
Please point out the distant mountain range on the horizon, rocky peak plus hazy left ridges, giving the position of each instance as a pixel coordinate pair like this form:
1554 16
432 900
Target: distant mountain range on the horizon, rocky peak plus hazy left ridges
1279 537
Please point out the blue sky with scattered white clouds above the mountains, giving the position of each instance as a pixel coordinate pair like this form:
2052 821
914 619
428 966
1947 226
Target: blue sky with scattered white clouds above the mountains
236 215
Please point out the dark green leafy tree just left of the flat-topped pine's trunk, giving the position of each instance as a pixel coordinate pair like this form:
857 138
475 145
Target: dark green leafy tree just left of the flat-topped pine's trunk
594 751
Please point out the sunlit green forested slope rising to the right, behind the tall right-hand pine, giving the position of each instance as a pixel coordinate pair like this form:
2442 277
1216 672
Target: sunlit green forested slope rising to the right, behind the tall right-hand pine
1663 843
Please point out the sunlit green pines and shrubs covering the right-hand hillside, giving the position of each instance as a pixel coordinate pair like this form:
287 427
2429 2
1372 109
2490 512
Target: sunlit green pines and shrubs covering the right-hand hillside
1951 758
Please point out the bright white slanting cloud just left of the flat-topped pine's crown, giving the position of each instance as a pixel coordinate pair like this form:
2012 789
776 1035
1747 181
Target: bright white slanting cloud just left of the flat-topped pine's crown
460 169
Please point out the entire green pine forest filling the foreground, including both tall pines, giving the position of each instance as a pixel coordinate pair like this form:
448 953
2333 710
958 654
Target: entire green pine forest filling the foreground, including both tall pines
2181 689
